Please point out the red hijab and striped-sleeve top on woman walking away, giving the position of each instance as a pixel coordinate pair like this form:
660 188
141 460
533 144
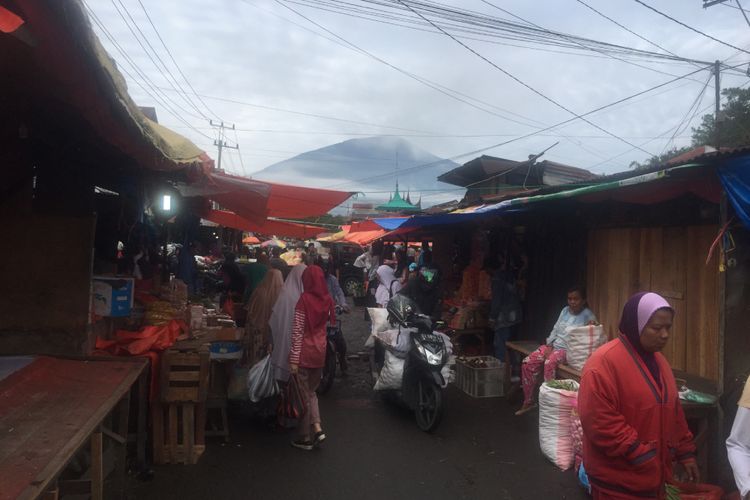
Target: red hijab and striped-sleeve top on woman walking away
317 306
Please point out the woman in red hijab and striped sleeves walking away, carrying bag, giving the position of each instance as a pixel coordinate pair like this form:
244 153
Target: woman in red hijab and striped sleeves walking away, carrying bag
308 351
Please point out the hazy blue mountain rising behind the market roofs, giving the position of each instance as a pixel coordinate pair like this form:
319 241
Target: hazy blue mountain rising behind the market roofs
371 166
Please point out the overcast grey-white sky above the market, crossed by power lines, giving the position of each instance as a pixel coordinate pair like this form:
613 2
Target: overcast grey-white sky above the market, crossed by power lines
279 69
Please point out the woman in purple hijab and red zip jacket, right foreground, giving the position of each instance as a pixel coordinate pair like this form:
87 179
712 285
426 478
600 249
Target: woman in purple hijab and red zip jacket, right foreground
633 424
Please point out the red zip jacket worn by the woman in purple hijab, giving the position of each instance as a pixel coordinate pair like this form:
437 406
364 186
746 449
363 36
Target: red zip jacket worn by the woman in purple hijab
633 429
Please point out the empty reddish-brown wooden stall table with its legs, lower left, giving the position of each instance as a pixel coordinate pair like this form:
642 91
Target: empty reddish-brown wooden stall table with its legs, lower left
50 409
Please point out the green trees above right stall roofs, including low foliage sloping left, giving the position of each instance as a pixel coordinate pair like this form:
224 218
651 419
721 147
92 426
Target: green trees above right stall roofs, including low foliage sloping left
734 128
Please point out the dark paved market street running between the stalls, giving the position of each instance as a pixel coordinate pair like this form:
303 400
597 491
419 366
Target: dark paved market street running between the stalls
374 451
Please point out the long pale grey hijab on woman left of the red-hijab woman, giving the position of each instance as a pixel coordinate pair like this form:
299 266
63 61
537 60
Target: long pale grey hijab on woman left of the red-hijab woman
281 321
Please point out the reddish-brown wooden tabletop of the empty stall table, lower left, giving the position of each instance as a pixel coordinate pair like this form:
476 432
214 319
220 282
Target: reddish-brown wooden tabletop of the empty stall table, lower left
52 406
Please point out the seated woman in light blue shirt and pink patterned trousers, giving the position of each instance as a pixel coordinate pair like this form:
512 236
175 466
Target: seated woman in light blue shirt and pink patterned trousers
552 353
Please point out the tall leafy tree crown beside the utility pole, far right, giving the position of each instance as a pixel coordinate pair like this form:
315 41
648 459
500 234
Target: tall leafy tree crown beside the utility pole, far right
734 128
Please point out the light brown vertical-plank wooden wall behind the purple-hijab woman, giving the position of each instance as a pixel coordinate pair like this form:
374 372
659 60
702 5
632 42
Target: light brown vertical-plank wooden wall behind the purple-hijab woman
672 262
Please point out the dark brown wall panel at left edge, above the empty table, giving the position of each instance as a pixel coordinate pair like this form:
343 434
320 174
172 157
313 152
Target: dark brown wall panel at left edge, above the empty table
46 264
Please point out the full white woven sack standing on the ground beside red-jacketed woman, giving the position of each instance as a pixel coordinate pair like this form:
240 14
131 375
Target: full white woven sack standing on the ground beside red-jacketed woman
555 409
